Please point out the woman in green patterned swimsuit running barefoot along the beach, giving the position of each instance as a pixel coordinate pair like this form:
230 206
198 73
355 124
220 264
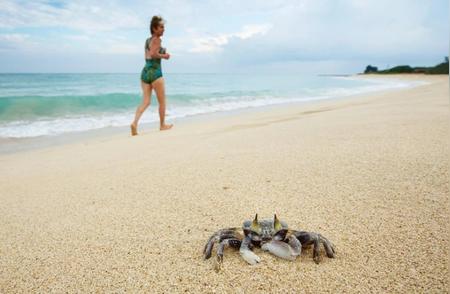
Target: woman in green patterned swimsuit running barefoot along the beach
151 75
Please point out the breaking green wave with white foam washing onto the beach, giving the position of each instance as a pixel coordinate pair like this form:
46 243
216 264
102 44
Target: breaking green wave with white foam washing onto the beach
49 116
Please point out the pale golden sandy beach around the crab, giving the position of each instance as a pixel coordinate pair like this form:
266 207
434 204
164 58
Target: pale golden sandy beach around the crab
122 213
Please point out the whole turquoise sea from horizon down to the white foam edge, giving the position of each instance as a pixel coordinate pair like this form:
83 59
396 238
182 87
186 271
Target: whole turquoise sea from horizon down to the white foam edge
34 105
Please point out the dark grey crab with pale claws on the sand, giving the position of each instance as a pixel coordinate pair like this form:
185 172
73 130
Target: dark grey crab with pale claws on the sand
271 235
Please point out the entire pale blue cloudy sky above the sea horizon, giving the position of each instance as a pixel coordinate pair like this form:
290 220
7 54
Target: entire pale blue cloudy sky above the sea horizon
203 36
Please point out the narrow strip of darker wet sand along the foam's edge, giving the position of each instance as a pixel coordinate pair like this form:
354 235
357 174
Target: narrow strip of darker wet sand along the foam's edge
14 145
